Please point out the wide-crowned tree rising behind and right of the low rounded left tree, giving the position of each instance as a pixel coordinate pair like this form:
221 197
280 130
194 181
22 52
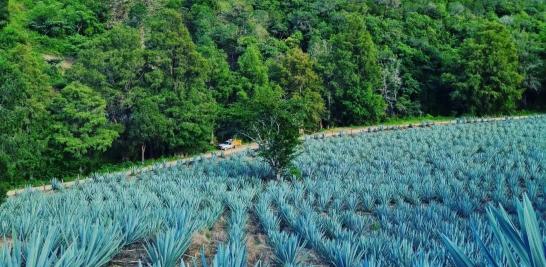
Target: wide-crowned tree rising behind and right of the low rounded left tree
113 64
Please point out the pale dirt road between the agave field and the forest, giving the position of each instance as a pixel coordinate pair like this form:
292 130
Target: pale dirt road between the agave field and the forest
225 154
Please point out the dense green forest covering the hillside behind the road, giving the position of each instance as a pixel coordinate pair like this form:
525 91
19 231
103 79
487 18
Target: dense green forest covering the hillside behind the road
83 82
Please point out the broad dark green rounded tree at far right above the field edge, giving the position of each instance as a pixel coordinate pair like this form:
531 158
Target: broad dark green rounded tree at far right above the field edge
485 79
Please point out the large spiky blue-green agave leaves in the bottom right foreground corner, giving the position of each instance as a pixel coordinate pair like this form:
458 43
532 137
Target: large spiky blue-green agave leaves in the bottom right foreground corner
519 248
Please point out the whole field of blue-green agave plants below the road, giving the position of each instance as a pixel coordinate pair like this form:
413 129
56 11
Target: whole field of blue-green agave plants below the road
378 198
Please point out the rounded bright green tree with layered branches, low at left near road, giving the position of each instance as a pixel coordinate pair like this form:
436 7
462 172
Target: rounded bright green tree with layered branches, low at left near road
80 129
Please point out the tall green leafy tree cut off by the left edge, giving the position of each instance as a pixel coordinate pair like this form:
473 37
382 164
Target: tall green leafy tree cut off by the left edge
24 120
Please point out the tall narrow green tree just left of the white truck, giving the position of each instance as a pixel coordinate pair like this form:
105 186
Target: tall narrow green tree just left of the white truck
188 104
